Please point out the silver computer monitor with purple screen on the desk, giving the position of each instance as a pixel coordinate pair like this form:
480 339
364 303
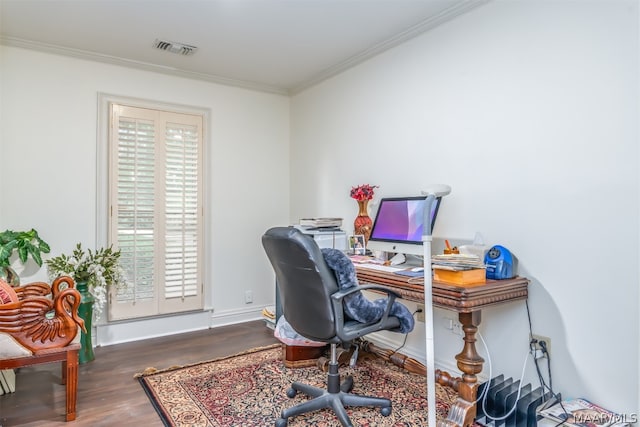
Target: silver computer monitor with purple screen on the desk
398 225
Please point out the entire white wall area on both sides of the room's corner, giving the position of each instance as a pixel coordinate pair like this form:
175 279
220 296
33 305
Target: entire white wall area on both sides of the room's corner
528 109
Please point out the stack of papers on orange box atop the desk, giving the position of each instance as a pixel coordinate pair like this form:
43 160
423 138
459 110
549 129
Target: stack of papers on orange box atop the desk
459 269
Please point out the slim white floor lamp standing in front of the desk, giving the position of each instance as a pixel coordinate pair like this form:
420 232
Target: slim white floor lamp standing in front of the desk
433 191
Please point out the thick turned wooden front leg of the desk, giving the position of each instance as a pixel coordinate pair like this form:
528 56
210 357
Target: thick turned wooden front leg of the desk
463 411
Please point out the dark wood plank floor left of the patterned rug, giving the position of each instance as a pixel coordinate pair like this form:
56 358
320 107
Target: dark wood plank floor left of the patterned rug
108 395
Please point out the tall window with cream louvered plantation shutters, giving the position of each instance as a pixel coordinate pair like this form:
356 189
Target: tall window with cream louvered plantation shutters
155 195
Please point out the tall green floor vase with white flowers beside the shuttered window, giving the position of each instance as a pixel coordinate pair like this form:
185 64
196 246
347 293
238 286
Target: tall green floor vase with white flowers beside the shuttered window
94 273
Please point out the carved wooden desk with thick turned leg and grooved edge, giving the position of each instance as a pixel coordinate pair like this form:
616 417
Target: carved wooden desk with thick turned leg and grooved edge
468 301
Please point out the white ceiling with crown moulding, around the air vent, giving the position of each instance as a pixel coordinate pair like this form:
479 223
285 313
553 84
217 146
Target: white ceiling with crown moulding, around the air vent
279 46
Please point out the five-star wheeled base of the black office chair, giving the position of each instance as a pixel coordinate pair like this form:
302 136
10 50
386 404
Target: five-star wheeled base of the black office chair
335 397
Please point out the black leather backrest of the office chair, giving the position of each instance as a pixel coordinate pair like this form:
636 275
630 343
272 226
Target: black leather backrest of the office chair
305 282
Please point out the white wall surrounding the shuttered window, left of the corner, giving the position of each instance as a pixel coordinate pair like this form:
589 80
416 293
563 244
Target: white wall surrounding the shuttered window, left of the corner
48 175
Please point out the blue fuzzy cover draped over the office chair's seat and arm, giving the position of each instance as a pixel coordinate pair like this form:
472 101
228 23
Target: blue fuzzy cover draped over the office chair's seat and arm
356 305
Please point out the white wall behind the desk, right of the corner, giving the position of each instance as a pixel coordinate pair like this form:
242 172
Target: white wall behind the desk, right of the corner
529 111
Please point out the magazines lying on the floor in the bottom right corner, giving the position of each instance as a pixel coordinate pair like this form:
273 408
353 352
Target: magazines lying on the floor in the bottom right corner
581 412
